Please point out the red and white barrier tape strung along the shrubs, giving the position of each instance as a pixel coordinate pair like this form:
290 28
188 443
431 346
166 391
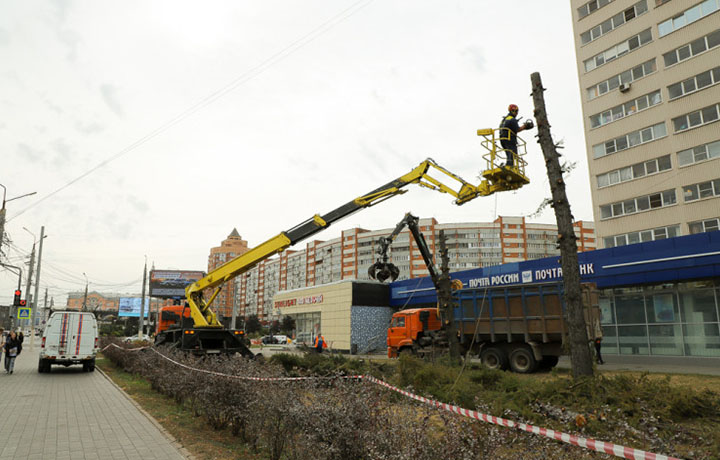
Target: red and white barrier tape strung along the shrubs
586 443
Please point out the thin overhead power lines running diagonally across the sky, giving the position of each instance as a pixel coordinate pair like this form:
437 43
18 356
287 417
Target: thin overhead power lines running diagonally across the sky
243 78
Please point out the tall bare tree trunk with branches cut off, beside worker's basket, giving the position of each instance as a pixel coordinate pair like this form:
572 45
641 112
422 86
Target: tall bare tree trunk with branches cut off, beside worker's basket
580 357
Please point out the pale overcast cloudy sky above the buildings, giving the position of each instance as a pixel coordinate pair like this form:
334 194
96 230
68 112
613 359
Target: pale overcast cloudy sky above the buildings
153 128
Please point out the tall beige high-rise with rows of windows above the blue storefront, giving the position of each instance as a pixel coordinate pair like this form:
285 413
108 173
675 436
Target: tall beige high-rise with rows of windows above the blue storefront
649 75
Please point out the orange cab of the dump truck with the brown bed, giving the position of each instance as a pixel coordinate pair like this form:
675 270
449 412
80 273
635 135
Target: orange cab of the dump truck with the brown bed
411 327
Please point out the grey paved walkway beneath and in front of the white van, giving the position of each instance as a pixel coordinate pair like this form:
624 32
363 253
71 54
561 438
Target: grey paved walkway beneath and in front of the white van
70 414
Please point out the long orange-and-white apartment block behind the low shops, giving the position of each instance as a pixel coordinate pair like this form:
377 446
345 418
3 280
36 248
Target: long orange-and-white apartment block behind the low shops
470 245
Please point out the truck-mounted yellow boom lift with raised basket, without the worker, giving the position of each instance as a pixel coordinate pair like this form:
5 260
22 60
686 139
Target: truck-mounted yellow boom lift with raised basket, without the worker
207 334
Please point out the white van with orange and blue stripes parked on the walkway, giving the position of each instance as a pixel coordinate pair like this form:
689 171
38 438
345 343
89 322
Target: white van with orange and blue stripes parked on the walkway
70 337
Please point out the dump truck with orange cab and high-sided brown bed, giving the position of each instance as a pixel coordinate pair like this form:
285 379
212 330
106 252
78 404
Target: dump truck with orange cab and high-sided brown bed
521 328
